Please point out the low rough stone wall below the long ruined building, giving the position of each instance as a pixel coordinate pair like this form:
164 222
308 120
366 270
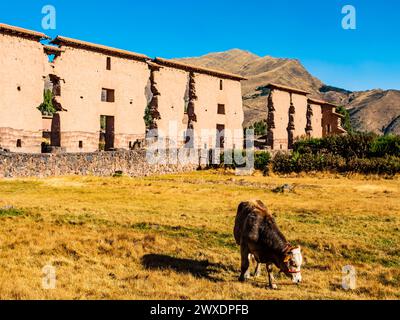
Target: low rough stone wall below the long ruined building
131 163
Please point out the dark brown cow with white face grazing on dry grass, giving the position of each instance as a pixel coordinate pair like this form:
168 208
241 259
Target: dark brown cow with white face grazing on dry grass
257 234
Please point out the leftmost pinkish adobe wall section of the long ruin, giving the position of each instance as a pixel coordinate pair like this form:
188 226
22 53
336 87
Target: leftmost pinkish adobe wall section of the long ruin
22 68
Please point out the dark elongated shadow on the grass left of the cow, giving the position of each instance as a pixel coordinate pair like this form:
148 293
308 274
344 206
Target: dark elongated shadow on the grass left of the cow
197 268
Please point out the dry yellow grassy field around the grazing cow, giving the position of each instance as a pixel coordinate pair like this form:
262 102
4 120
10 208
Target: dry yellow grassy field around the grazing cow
170 237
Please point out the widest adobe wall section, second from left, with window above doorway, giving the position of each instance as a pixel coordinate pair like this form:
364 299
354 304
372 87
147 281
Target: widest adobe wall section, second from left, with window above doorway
83 75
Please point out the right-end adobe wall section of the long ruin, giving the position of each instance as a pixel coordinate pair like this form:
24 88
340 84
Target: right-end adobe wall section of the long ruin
209 96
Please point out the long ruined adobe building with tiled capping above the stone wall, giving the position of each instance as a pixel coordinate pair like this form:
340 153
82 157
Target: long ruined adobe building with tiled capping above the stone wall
102 95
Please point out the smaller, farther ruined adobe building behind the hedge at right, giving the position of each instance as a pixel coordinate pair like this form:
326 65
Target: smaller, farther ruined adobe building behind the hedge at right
292 115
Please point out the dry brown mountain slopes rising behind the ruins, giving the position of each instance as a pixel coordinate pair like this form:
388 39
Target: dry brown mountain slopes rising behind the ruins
375 110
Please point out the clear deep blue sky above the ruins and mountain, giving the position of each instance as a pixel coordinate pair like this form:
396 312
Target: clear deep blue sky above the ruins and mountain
365 58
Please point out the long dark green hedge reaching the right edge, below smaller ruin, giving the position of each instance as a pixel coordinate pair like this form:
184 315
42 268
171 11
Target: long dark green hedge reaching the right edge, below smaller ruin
357 152
